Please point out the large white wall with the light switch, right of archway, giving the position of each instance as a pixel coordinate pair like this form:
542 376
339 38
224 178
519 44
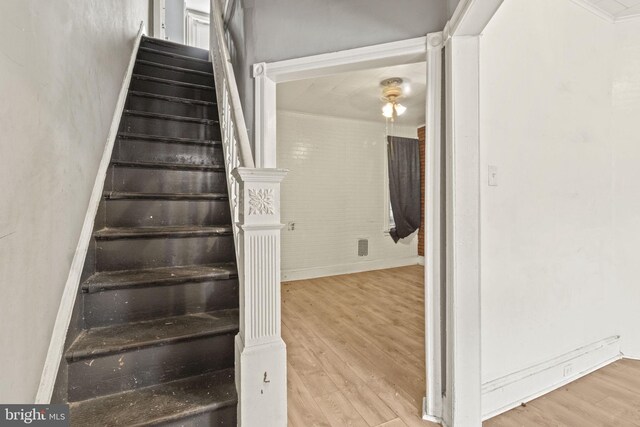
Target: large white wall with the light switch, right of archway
548 278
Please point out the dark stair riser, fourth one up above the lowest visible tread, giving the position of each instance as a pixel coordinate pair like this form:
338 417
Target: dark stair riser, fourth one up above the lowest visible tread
152 213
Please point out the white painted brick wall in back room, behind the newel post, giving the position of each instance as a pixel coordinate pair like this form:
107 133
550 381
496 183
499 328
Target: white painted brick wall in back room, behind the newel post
336 192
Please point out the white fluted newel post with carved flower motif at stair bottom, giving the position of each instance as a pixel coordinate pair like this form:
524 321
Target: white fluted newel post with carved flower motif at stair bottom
261 361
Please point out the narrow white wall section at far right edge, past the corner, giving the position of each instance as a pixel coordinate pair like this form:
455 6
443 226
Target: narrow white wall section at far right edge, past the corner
626 140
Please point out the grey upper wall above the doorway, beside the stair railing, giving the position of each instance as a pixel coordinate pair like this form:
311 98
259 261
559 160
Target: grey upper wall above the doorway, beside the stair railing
273 30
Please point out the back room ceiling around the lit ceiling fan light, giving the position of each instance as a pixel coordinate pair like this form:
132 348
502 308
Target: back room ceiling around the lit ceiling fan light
356 94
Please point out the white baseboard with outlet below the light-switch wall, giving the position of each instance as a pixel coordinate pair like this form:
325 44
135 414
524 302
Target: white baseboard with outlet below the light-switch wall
503 394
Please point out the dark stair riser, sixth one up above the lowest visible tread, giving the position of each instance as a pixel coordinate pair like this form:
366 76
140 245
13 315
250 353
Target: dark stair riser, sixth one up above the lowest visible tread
155 151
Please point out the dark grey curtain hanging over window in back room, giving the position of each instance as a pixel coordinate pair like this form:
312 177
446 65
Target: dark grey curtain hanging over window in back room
404 185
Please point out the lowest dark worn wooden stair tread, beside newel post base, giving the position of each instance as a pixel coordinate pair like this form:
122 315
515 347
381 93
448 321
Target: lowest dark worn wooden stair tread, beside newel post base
159 404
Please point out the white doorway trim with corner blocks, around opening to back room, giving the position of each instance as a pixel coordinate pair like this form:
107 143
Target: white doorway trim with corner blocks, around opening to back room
268 75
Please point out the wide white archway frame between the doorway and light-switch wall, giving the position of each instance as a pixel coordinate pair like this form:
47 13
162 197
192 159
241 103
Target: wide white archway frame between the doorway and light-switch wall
462 403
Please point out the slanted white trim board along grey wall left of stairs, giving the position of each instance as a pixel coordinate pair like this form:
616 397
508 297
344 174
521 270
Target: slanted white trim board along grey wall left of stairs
56 345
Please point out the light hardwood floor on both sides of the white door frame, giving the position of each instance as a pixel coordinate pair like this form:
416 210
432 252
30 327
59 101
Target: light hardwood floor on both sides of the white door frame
355 347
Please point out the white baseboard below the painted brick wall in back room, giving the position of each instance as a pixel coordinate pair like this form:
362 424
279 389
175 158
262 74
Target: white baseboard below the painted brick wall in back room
335 270
